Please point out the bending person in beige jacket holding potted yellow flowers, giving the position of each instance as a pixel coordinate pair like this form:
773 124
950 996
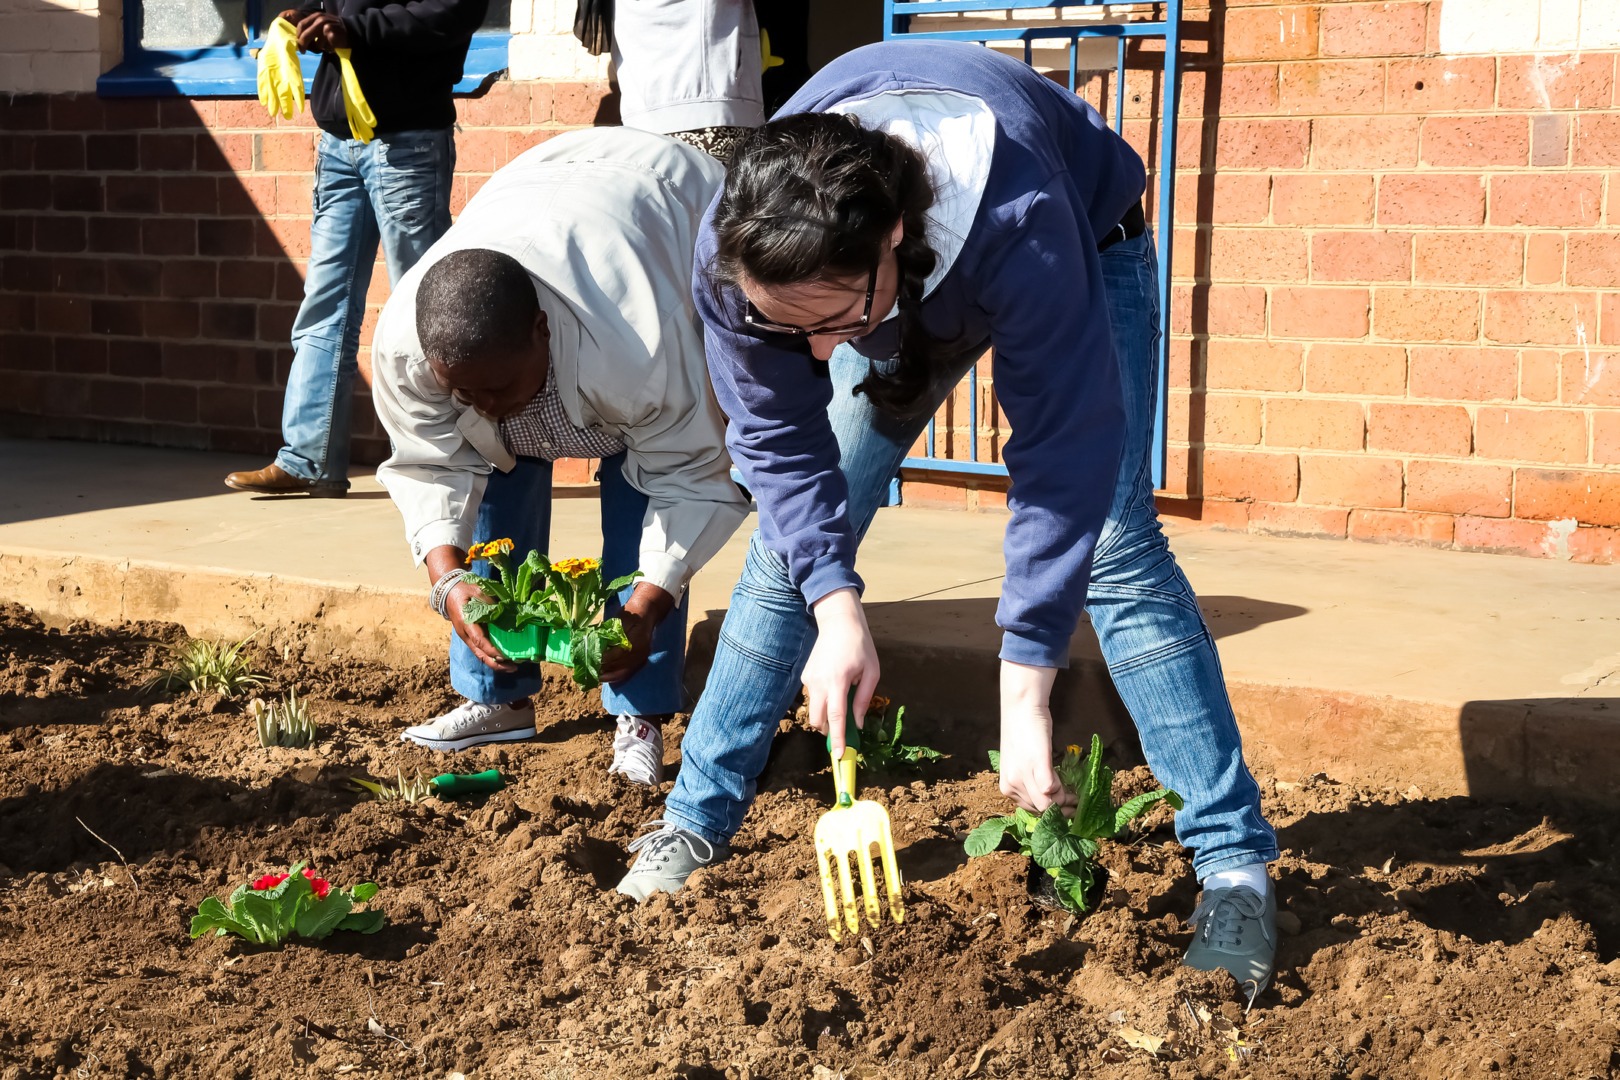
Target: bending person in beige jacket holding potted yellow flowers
555 320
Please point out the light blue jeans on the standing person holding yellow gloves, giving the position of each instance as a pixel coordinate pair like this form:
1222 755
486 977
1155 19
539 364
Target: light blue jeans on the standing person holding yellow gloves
396 192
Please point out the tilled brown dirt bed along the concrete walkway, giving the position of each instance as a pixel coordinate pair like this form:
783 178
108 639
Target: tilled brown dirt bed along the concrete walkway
1422 938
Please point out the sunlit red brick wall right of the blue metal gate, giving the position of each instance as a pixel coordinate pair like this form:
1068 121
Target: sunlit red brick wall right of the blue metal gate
1396 284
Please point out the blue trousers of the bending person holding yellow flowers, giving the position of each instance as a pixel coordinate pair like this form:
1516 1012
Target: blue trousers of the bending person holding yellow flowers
518 506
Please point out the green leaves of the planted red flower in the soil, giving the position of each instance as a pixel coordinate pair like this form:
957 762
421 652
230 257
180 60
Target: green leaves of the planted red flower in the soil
273 916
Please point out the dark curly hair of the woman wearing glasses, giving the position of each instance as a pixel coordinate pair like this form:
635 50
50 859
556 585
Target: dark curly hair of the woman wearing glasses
816 197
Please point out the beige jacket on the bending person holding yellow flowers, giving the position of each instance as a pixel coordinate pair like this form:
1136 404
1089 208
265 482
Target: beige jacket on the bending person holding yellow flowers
605 221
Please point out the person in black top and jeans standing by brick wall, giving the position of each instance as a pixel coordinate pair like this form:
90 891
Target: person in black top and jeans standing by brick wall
393 190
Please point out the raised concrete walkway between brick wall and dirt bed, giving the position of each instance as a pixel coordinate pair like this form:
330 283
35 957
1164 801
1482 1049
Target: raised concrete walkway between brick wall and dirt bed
1446 671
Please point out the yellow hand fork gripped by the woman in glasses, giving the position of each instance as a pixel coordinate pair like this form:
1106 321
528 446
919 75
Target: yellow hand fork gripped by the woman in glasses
853 828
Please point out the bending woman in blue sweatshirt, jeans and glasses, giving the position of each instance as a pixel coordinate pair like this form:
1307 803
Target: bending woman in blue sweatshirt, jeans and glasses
911 206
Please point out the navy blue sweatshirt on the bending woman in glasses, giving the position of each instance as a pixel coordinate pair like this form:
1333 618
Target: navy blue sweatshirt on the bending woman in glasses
1028 279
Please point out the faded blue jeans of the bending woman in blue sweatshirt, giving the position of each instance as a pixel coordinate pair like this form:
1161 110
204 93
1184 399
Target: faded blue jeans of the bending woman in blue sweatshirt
1159 652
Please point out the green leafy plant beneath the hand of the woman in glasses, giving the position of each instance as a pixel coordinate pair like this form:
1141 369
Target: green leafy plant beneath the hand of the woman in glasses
1067 848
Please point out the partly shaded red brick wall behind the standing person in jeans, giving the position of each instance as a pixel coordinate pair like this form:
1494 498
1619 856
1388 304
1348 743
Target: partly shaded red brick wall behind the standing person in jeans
153 253
